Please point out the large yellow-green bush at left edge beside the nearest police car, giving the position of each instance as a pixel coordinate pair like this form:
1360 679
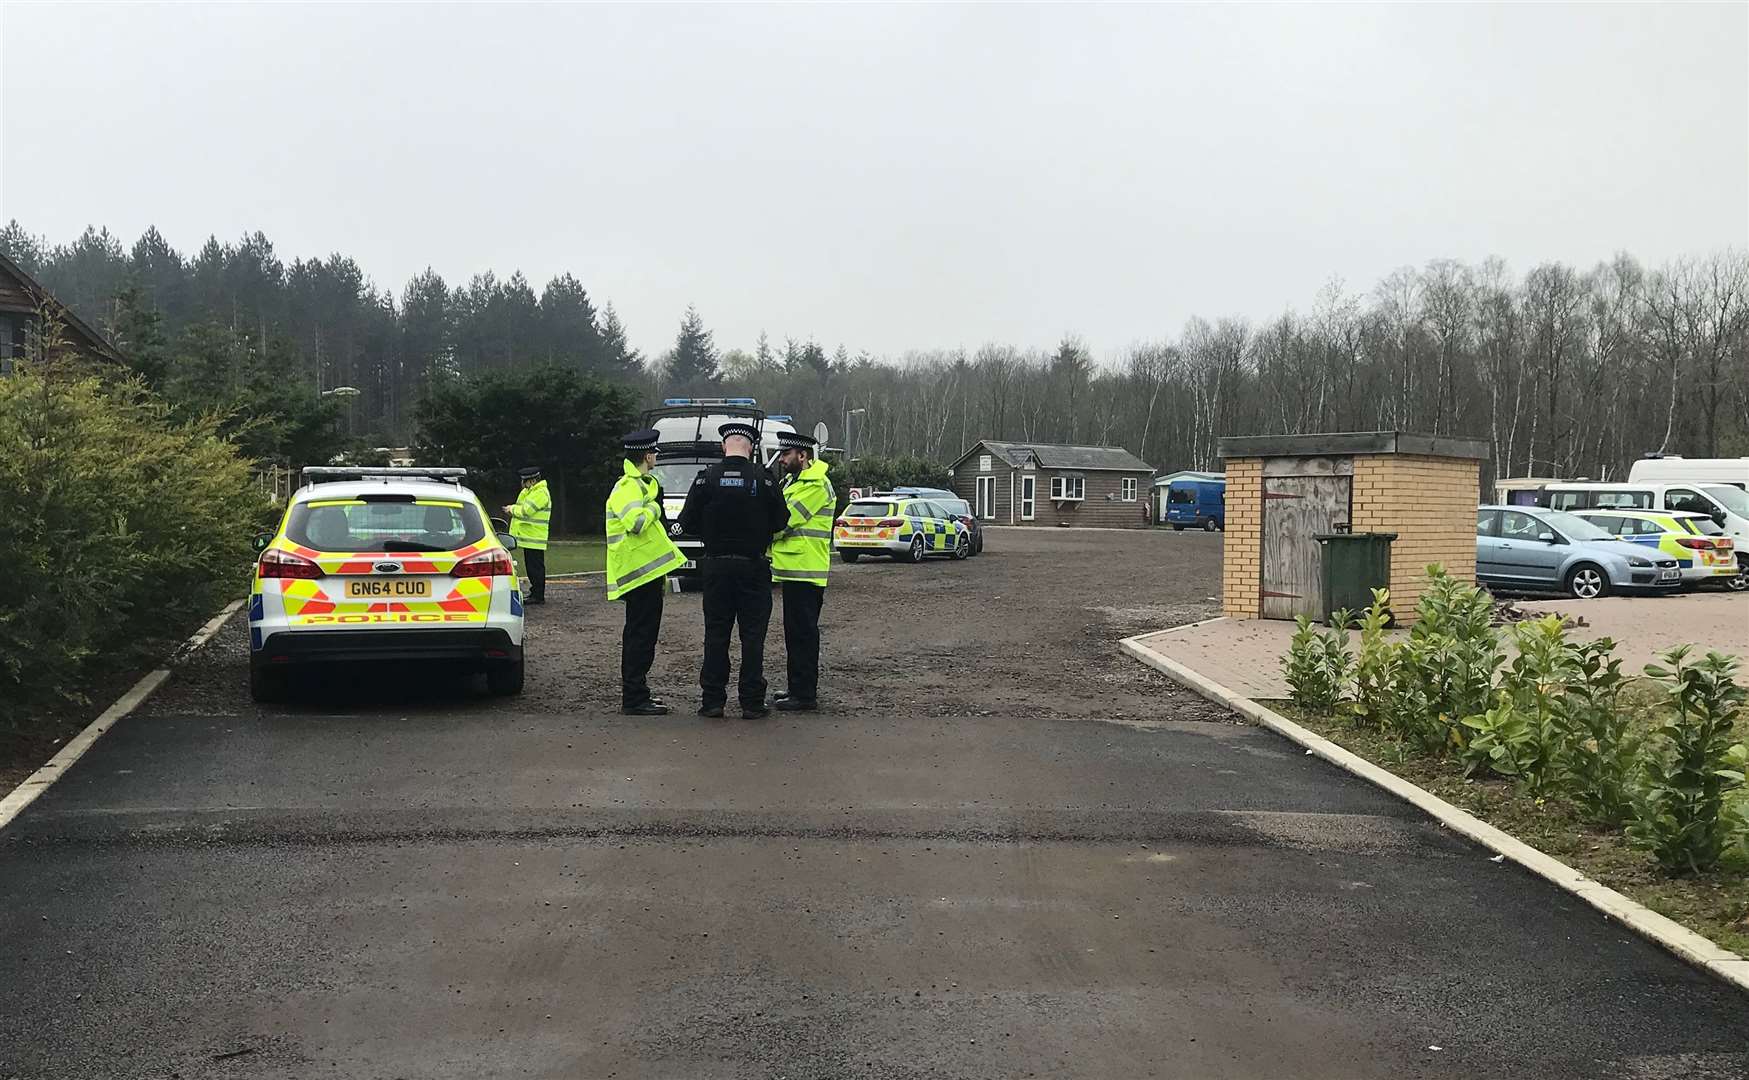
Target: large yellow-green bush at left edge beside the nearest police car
116 526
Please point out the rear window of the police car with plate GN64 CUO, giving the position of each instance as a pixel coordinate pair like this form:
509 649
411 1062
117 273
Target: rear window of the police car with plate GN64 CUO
386 524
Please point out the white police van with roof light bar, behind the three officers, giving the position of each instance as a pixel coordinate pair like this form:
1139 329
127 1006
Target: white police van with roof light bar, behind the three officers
688 444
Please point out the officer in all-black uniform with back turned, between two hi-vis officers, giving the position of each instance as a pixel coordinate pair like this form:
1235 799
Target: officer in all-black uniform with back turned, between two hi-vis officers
735 507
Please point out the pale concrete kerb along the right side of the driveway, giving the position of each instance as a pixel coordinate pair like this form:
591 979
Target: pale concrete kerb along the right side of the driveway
1650 925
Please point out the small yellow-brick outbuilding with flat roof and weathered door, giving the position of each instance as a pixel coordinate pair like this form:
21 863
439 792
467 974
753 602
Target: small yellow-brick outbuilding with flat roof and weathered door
1283 491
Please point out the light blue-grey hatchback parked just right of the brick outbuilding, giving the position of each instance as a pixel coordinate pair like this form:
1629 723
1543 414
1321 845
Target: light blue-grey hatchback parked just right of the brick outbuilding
1543 551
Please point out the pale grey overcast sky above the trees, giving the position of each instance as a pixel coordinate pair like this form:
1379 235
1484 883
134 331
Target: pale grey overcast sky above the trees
891 178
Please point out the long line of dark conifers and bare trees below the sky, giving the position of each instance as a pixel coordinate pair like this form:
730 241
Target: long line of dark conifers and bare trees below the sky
1566 372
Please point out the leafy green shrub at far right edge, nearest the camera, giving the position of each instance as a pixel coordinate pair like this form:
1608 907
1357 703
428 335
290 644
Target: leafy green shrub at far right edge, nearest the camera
1694 764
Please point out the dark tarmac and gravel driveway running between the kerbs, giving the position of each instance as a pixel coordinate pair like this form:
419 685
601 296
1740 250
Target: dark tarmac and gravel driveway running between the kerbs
1008 852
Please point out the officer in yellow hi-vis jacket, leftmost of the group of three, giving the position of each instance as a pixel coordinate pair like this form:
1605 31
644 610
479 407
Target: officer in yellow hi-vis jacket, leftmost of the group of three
639 561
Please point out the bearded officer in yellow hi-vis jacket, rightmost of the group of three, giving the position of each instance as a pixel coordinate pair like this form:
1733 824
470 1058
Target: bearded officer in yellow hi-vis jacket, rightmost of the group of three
800 561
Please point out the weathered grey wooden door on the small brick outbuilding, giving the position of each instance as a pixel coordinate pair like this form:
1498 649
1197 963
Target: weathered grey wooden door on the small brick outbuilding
1295 510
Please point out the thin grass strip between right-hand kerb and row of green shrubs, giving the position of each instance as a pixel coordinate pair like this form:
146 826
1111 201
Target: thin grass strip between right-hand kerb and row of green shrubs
1713 904
